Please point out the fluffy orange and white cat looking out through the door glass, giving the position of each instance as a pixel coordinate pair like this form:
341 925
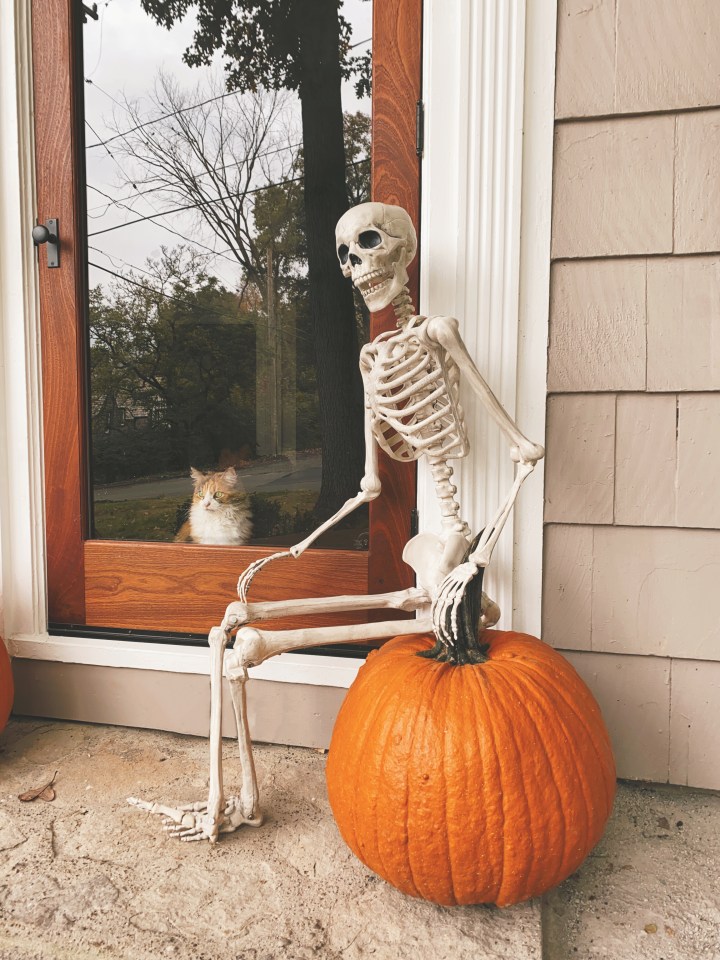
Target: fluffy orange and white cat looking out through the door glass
219 513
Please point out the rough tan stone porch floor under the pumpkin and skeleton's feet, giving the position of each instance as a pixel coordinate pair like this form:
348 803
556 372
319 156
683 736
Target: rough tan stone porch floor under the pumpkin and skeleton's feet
87 877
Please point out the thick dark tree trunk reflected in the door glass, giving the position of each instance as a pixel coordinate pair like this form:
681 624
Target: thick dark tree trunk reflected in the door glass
331 299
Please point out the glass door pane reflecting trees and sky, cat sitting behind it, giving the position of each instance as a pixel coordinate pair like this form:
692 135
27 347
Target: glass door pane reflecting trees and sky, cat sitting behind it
219 403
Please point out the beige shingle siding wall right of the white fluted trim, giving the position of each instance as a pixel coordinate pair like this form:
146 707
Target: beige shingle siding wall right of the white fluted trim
632 545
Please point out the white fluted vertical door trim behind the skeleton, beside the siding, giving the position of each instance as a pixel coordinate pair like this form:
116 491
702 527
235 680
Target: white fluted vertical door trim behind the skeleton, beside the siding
473 263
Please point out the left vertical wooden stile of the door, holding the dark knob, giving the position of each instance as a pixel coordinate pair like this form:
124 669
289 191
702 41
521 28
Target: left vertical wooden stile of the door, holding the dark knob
62 346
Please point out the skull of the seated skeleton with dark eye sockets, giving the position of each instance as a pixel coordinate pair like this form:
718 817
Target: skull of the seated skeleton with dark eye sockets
375 242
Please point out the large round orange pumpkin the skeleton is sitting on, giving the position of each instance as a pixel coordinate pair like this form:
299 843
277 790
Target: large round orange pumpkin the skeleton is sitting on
480 783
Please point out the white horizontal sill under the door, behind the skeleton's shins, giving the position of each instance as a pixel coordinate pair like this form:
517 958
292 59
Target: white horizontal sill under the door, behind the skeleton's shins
313 669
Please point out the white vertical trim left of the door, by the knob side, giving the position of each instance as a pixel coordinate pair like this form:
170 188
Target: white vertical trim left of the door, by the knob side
22 535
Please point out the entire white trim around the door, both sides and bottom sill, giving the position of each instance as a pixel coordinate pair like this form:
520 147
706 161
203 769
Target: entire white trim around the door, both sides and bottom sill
474 265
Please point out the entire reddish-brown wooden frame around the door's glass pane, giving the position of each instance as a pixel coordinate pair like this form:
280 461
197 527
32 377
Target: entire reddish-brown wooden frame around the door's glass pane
179 588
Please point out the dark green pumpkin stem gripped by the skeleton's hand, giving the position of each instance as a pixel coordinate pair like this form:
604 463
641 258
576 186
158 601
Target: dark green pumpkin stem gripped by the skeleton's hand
458 638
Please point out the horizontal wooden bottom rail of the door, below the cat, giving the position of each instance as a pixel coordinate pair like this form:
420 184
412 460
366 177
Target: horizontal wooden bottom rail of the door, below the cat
146 586
